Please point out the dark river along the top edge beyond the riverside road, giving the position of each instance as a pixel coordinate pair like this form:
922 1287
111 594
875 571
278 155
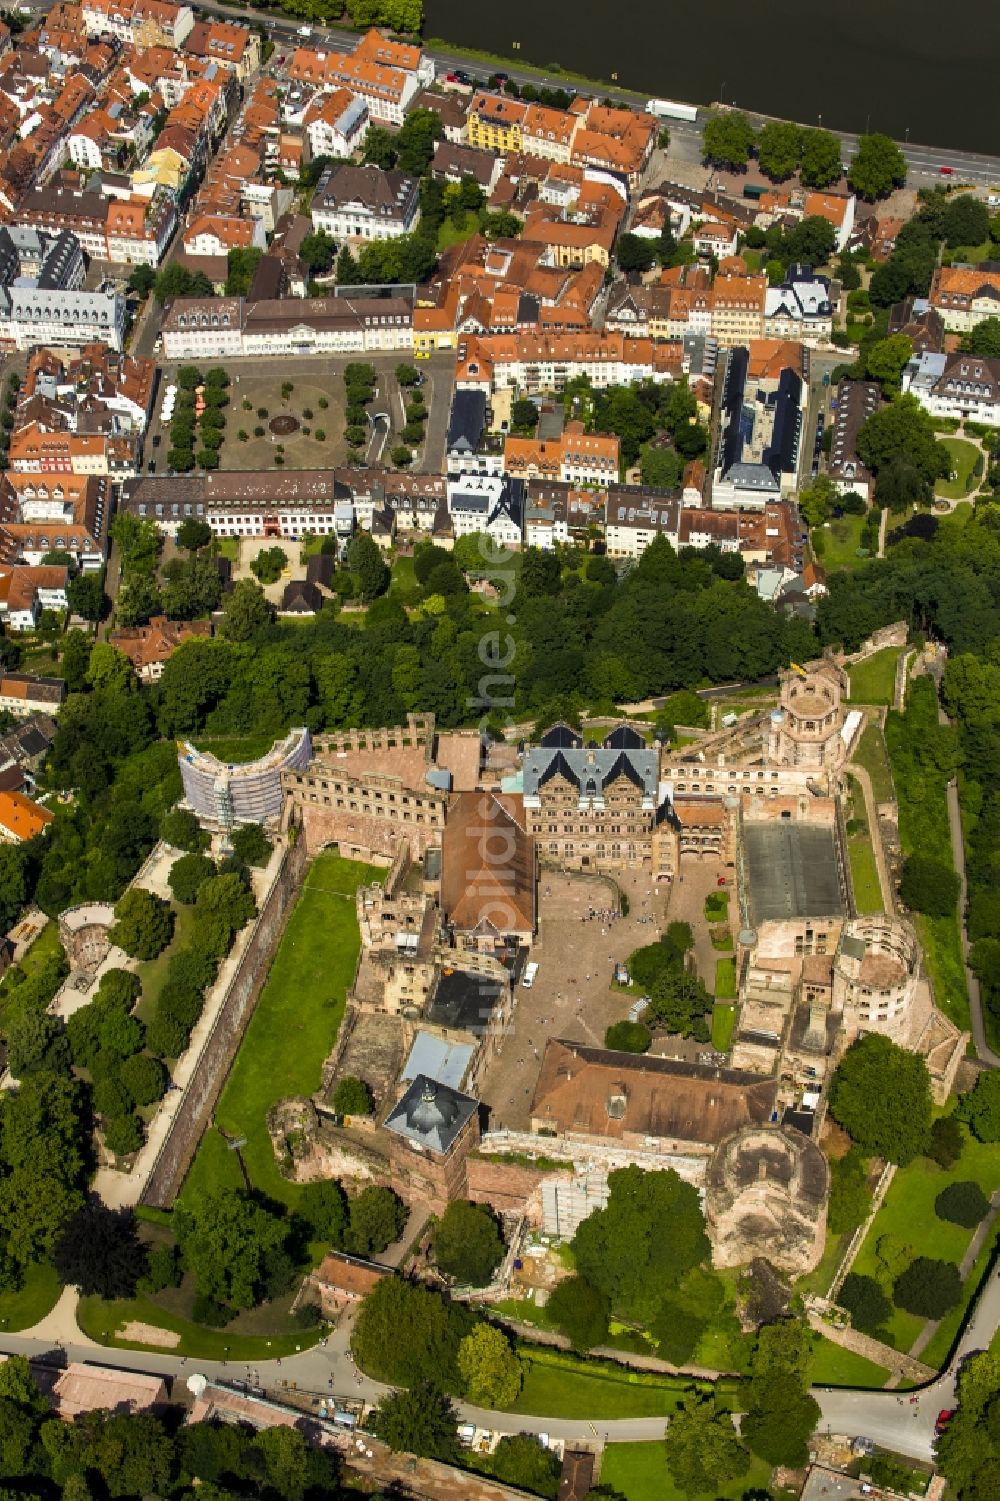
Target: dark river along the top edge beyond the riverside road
854 65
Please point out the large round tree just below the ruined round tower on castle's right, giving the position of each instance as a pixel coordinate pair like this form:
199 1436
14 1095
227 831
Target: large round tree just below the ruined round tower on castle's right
882 1096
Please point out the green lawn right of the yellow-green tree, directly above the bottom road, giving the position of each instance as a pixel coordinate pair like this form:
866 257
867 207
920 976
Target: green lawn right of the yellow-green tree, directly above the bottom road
555 1389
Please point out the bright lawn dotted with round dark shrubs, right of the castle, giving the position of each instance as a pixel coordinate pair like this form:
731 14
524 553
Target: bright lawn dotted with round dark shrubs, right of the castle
909 1212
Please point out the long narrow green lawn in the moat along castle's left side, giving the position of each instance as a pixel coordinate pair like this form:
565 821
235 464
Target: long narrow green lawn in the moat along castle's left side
294 1027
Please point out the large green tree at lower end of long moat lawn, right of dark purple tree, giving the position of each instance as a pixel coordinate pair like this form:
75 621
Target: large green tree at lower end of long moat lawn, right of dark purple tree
226 1239
